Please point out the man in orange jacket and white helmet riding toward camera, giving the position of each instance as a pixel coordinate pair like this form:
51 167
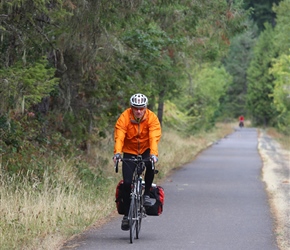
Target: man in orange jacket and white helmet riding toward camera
137 132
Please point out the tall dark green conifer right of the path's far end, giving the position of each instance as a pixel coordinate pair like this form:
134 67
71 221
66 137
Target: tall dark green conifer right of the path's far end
260 81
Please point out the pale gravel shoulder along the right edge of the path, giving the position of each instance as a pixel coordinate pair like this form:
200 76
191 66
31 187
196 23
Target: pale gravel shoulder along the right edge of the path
276 175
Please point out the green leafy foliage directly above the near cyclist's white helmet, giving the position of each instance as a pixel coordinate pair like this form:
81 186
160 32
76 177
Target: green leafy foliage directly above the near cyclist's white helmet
148 56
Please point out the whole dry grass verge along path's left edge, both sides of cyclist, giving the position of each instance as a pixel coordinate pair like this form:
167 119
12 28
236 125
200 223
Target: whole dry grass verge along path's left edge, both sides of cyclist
43 218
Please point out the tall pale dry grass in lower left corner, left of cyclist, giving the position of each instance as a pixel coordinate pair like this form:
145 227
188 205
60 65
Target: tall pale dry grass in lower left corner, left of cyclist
33 218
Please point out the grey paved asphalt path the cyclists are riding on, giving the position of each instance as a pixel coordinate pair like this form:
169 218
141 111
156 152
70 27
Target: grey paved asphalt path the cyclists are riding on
216 202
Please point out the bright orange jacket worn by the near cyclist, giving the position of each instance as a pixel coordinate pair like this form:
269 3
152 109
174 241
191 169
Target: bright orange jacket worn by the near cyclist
133 137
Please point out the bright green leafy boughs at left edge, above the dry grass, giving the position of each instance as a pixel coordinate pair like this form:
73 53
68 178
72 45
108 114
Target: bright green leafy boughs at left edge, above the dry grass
25 85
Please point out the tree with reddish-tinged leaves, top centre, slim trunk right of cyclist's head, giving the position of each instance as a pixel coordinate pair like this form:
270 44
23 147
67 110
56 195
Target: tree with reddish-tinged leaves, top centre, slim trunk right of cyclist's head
204 27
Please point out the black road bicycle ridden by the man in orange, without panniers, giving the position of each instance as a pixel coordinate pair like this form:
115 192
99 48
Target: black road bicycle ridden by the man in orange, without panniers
136 211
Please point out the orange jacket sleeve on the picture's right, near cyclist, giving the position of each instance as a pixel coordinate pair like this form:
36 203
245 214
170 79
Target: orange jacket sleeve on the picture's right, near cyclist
154 134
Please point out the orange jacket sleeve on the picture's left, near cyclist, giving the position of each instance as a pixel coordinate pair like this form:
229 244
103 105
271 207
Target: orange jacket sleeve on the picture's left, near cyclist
119 134
